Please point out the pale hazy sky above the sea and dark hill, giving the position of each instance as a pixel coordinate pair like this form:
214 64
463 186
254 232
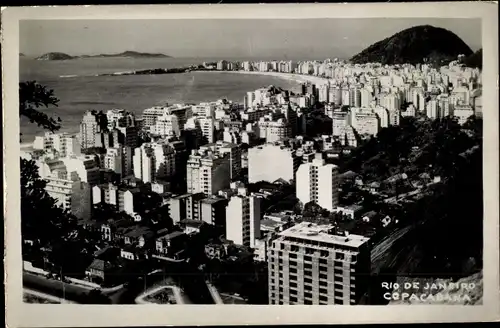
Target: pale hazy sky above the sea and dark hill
227 38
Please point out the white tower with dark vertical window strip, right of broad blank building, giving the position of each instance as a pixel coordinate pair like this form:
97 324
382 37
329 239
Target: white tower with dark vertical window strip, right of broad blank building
318 182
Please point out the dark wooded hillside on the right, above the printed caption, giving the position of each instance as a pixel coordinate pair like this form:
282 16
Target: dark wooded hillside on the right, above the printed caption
446 214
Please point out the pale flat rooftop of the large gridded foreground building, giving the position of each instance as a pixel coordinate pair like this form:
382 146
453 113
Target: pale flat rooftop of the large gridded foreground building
320 233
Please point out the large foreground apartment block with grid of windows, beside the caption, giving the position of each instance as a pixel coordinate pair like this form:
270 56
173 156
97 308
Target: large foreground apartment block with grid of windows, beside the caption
312 264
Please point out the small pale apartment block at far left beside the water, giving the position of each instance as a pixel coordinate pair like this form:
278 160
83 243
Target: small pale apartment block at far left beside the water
57 144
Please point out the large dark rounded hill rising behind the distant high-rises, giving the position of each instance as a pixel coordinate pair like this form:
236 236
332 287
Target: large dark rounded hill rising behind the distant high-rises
415 45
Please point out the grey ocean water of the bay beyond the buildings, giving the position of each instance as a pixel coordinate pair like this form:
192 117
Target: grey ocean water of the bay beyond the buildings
82 91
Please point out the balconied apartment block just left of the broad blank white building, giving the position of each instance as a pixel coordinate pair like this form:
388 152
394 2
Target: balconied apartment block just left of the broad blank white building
208 172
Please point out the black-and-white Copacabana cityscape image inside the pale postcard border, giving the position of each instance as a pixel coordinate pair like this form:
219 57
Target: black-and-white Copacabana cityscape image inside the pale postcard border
252 161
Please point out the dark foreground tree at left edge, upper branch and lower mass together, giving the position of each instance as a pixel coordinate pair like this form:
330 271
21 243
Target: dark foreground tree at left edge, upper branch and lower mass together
41 218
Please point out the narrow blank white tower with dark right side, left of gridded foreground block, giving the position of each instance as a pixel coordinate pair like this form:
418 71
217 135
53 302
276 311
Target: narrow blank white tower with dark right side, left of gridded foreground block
243 219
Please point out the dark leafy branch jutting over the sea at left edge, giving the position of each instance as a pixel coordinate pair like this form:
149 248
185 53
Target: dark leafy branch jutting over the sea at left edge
32 96
